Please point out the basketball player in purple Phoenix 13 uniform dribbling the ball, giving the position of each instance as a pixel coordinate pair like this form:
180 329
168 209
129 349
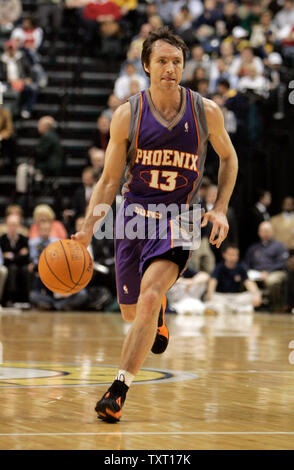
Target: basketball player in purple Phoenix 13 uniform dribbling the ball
161 134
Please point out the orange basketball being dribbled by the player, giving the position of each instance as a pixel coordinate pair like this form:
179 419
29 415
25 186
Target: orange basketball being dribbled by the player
65 266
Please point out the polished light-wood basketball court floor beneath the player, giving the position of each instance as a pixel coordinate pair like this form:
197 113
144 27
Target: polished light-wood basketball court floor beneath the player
224 383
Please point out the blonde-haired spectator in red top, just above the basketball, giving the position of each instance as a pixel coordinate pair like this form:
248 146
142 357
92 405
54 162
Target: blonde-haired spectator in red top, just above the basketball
44 212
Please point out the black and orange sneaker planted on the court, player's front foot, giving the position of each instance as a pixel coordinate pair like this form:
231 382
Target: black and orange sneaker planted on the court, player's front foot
109 408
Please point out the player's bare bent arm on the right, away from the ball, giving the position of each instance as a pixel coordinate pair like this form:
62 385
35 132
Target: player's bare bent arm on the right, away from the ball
227 174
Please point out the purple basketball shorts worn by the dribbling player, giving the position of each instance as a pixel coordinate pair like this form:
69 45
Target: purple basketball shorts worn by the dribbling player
138 239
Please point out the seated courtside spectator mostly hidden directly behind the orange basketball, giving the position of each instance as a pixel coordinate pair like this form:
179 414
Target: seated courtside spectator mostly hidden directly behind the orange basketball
40 296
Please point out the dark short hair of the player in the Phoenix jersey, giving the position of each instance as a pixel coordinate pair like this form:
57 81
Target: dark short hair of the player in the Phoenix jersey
161 34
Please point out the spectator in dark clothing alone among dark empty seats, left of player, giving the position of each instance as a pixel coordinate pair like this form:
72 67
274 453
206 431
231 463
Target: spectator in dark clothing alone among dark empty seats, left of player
49 153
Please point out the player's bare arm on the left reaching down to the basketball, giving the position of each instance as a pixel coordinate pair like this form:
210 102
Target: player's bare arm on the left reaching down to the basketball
106 188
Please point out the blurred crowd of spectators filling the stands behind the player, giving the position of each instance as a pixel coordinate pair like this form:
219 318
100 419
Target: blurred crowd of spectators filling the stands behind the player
242 57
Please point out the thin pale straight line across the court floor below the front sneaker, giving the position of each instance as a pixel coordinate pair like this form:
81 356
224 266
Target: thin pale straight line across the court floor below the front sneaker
151 433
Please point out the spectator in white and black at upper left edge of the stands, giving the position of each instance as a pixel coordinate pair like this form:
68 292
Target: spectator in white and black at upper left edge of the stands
16 73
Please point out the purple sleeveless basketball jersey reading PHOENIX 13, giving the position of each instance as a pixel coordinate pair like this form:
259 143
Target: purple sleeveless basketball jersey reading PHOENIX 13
166 160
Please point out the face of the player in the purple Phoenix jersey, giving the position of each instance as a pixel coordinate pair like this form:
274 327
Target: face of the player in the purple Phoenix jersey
165 65
